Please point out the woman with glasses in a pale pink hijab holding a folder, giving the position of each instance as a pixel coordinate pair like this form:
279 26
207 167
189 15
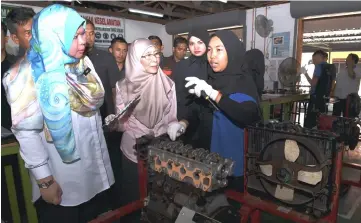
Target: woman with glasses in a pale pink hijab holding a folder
155 112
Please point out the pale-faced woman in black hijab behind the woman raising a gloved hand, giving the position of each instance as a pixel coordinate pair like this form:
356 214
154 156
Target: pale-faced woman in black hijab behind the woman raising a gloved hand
188 106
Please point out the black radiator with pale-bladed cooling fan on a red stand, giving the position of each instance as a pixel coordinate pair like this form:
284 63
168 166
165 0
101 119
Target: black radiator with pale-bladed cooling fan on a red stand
291 172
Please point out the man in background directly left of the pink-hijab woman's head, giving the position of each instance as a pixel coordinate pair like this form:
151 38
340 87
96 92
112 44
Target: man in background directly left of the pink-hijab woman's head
119 48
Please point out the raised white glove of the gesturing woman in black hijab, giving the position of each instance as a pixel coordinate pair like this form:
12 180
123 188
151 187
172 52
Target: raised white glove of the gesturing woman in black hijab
201 85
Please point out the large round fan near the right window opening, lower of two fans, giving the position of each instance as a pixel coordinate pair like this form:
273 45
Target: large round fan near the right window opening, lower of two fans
289 73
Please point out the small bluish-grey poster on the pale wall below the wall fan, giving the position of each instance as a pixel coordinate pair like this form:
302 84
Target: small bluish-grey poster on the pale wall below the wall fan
280 45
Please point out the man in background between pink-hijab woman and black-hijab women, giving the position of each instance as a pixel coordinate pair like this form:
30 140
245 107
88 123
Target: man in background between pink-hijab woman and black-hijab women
180 45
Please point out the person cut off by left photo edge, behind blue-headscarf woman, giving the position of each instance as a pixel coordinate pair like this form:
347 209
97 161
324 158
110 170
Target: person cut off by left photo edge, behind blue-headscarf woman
7 61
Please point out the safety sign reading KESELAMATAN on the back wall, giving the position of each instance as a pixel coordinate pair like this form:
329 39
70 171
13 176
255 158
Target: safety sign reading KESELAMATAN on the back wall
106 28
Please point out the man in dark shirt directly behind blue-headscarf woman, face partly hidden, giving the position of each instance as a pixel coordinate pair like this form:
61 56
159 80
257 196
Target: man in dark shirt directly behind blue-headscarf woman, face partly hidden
107 70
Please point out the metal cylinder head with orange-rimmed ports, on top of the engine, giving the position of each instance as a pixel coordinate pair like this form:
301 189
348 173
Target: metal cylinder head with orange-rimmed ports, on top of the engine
203 169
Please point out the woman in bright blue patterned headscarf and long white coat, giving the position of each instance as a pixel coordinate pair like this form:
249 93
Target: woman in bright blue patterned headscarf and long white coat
55 95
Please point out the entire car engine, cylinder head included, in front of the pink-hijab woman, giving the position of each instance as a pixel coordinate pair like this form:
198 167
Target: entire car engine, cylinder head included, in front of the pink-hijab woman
184 180
